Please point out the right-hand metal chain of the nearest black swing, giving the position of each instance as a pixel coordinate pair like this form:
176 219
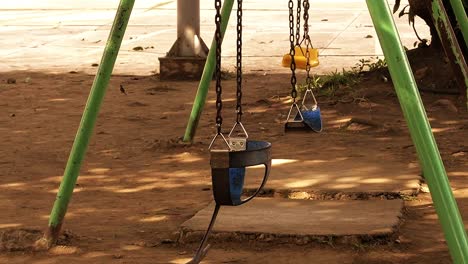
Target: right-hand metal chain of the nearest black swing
239 62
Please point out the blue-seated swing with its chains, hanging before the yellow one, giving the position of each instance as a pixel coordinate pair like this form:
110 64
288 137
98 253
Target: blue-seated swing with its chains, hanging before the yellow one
307 116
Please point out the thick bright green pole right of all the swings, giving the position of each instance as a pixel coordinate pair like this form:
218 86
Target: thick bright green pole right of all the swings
420 130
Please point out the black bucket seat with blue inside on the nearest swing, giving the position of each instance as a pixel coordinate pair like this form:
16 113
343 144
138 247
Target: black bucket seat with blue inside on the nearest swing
228 171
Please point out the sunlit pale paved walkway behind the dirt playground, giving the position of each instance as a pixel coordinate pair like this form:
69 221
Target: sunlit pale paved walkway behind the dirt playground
61 36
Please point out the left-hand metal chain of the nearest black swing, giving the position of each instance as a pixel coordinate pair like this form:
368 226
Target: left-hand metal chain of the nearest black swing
219 102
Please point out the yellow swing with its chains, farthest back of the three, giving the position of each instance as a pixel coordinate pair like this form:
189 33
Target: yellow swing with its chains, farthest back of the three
300 53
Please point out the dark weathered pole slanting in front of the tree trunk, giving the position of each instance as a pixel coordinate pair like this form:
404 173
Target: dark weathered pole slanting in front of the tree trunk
450 44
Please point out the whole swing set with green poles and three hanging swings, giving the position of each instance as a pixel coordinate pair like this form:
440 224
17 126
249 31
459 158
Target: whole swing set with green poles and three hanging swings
236 151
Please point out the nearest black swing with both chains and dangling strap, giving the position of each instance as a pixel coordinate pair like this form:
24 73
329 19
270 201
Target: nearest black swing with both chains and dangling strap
228 163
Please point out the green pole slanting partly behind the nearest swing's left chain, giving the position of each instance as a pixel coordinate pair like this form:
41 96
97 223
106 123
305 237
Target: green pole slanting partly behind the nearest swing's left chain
207 76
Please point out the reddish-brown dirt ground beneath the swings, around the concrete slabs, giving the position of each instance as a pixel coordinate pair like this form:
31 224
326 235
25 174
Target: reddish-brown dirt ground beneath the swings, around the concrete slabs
138 183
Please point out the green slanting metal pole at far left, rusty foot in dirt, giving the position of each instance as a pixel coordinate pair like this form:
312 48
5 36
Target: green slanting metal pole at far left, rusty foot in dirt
87 124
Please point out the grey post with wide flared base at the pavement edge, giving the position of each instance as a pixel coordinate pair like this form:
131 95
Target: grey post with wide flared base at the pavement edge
186 58
